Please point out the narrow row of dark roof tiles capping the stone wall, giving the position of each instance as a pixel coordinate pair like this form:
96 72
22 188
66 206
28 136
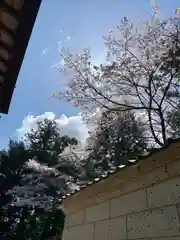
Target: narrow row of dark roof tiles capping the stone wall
121 168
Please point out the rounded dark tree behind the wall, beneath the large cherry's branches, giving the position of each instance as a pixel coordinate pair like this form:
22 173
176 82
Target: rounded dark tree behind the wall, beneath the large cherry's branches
118 138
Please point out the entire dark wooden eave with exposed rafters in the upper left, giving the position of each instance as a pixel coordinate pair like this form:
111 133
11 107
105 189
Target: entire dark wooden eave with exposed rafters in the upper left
17 18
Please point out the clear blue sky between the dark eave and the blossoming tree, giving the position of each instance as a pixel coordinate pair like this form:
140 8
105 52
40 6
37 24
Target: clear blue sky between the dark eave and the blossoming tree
85 21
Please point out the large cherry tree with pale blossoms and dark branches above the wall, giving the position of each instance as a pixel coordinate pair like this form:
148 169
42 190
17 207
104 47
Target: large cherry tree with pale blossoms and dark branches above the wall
141 73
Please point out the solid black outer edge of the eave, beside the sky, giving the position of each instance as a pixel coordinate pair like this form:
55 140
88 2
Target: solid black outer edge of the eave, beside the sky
23 34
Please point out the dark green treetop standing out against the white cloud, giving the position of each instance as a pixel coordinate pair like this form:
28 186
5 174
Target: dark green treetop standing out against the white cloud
46 143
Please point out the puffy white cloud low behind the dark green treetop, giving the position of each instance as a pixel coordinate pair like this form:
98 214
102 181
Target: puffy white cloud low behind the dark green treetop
72 126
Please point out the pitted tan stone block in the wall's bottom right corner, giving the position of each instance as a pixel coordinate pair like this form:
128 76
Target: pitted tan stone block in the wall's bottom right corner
161 222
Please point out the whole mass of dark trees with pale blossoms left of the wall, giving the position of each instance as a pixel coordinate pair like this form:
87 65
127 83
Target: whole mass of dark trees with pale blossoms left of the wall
29 196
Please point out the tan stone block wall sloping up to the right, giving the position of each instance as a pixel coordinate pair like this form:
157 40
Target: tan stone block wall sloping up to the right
138 202
